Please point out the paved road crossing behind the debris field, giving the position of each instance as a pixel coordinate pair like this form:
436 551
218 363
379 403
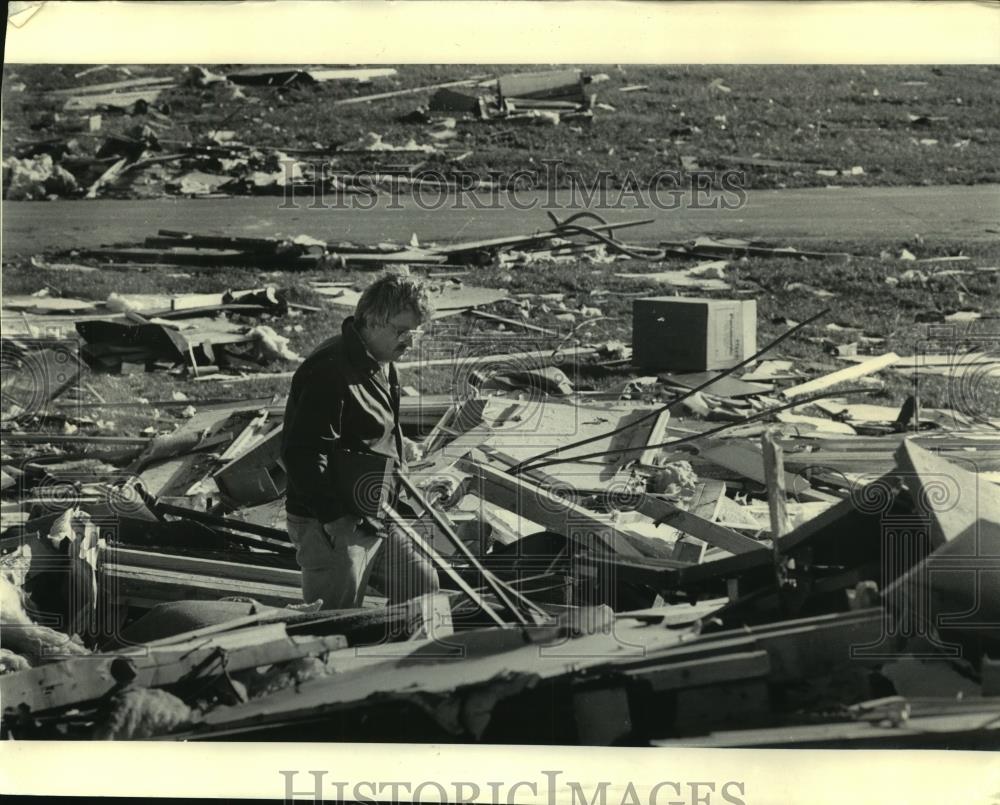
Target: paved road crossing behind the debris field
959 212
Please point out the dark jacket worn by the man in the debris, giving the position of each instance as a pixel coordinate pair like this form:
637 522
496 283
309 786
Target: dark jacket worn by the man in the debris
340 400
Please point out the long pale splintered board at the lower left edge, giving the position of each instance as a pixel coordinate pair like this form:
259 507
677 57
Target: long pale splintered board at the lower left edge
165 662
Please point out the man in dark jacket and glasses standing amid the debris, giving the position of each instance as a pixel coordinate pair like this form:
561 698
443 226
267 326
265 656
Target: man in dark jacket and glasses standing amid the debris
342 425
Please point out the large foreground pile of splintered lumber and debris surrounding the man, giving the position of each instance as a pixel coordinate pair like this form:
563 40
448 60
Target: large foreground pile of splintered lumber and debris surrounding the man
693 558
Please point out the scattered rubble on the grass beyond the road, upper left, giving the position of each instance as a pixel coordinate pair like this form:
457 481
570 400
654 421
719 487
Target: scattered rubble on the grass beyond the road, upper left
143 159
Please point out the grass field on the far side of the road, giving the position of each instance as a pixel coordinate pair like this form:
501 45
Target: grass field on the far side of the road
902 125
